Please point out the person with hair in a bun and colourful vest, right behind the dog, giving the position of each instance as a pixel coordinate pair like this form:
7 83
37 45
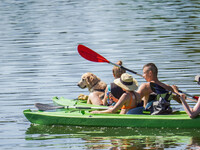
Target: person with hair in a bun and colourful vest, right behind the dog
113 92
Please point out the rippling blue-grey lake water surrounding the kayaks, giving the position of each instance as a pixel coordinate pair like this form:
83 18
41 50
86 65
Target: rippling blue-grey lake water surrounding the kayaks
39 60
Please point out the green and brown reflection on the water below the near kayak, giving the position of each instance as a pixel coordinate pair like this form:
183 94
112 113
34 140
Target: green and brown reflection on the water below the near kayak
118 138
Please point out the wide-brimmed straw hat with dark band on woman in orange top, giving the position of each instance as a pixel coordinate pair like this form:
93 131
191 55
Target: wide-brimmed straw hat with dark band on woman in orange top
127 82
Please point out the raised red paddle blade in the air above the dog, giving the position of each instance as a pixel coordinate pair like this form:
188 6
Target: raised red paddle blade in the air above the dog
90 55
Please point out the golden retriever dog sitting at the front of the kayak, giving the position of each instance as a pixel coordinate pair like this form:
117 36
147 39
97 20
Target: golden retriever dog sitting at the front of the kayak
95 86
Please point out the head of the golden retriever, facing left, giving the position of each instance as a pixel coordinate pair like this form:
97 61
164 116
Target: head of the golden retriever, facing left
88 80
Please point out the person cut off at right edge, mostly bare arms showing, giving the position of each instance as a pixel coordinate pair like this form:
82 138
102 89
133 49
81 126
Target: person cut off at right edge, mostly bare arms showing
192 112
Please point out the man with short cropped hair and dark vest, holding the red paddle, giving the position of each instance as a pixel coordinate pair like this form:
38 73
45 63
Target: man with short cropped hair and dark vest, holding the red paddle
150 72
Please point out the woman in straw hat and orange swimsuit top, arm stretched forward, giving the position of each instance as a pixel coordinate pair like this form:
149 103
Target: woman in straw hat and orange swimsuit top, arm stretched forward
130 99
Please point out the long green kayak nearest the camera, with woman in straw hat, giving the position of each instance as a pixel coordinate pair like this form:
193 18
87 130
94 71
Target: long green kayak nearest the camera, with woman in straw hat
75 117
